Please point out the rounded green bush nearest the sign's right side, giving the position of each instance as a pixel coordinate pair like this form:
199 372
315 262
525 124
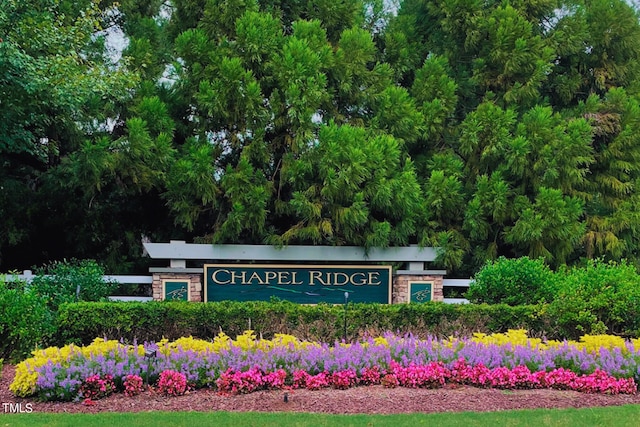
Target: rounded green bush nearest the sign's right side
513 282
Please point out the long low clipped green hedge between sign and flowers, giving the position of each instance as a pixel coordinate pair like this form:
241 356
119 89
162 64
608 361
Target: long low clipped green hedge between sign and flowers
82 322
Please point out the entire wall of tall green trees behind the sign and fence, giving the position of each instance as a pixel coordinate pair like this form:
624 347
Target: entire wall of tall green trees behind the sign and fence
485 128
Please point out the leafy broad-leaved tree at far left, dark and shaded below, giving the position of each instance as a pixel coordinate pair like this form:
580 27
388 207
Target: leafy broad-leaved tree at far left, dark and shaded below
56 87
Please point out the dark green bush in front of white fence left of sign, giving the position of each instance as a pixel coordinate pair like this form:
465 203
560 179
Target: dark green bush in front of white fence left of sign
69 281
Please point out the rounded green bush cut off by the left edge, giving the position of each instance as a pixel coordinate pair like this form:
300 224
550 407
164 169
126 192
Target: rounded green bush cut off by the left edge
25 321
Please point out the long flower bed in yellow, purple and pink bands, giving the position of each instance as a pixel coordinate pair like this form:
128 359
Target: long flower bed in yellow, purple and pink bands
603 364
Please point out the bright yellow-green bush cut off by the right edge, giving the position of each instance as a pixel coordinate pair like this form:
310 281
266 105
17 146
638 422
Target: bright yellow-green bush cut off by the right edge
600 297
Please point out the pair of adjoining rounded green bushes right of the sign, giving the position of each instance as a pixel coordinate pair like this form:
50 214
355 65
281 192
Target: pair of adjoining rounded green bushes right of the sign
596 298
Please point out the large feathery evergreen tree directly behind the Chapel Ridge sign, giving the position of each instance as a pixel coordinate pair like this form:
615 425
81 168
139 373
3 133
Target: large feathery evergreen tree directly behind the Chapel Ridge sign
297 127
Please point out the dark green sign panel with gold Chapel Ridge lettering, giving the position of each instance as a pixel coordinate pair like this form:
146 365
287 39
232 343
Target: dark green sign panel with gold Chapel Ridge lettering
306 284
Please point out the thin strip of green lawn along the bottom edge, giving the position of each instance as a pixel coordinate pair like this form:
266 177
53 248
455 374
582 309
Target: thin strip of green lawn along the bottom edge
627 415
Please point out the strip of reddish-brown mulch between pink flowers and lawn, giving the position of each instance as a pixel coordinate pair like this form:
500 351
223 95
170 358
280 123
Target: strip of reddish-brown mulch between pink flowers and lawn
357 400
